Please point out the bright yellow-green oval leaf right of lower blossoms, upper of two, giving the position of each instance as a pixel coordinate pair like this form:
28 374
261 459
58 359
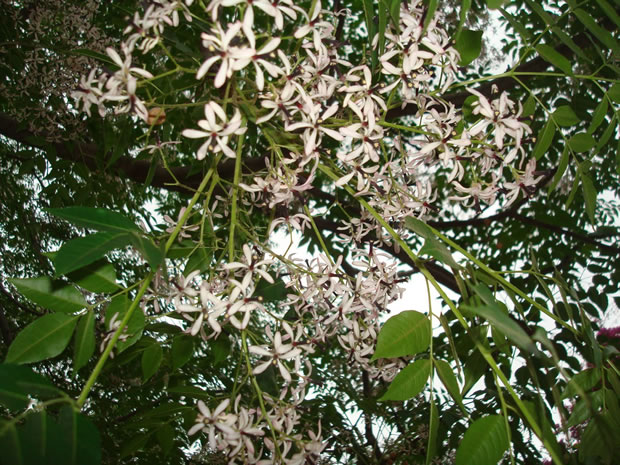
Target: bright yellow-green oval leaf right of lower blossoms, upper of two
407 333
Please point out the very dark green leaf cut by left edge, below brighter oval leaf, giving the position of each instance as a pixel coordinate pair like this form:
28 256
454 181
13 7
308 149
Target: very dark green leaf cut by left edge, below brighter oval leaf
19 384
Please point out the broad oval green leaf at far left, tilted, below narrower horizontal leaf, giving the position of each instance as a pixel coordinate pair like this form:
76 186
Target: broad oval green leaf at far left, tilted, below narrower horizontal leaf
44 338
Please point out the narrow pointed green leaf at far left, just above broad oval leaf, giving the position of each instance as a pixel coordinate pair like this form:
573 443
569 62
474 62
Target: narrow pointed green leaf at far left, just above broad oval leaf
52 295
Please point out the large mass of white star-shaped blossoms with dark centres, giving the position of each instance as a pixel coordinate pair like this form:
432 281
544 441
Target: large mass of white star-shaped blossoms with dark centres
315 111
